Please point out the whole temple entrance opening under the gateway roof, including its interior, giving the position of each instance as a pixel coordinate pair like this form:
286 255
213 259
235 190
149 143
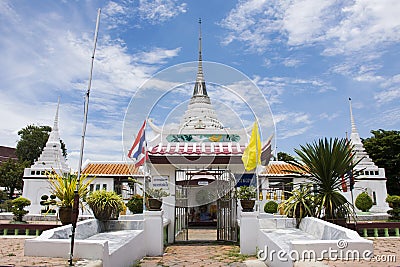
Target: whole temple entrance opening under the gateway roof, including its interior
205 205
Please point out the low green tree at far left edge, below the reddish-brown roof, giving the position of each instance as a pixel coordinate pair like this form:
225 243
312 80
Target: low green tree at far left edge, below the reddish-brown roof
11 175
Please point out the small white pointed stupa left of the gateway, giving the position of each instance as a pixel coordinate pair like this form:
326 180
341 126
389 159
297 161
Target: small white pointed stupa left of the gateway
35 180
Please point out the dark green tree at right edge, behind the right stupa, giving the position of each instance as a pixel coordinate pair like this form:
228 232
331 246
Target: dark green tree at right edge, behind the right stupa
384 149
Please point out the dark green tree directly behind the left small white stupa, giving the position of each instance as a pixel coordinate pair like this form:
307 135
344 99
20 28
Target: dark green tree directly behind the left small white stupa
32 141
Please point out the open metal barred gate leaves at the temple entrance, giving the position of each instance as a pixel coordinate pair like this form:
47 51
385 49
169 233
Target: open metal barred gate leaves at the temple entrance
222 190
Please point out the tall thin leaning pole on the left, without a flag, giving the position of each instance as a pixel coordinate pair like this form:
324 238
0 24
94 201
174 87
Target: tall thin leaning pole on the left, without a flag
75 210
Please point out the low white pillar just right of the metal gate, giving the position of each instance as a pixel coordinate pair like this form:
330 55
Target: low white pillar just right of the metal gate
248 233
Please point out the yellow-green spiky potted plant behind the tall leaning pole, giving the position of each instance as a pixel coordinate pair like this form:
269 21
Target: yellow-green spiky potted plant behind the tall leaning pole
63 187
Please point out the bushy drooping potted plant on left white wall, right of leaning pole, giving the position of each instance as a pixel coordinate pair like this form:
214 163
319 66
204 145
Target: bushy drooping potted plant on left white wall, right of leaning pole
105 205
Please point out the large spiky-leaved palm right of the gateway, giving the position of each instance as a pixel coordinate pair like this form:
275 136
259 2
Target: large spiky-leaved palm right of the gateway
326 161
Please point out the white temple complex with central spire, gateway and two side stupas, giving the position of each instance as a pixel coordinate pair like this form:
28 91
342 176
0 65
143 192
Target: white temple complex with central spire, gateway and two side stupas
198 162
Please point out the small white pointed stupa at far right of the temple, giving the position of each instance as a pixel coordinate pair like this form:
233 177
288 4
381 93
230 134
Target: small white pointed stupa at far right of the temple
372 179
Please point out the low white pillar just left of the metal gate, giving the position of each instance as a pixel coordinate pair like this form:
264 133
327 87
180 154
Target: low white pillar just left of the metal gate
153 229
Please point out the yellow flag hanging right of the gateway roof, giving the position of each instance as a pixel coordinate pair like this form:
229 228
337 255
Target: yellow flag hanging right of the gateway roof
252 153
